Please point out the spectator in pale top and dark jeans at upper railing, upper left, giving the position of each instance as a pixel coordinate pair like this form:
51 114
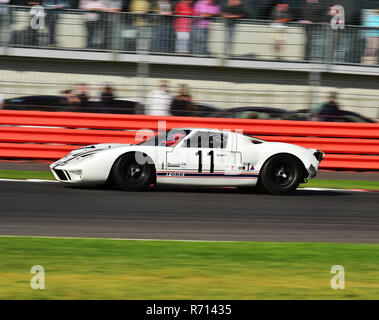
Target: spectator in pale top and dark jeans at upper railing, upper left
94 21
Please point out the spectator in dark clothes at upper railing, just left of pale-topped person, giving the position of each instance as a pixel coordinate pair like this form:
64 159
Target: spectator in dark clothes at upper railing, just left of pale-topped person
52 14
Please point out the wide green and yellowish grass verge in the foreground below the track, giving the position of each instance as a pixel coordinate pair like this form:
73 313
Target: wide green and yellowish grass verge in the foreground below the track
111 269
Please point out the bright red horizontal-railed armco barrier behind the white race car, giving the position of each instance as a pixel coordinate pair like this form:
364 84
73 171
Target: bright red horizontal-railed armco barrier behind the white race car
50 135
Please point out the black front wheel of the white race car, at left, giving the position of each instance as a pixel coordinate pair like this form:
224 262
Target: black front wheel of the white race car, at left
128 175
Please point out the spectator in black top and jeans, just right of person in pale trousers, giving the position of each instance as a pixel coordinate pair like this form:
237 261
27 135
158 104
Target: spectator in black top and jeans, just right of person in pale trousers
314 12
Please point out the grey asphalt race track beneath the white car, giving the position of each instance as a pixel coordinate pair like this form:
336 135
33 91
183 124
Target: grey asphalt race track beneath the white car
51 209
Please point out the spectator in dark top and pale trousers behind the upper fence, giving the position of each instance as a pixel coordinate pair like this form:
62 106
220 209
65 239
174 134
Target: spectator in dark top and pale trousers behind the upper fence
280 15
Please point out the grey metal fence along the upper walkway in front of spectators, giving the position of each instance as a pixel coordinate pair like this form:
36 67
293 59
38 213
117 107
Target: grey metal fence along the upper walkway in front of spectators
186 35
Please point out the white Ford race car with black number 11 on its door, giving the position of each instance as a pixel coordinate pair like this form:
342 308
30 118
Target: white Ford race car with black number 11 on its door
192 156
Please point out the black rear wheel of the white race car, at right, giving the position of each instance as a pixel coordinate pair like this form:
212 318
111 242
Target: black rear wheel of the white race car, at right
281 174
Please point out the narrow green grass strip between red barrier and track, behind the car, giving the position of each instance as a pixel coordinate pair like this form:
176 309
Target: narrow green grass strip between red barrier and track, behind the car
337 184
